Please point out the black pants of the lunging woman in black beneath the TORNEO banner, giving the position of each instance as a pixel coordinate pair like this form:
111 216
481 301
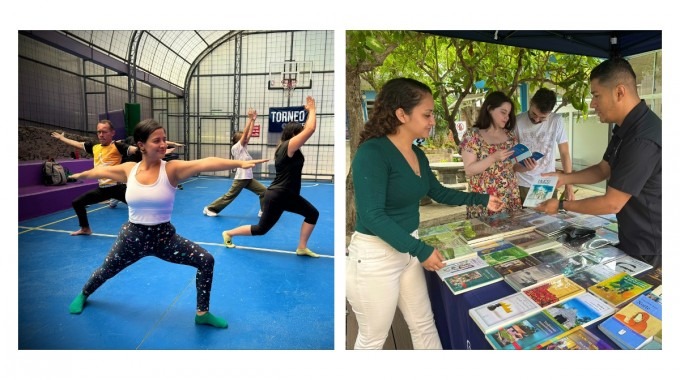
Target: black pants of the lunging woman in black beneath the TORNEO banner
276 202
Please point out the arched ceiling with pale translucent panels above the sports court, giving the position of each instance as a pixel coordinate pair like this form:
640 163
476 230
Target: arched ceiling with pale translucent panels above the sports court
166 55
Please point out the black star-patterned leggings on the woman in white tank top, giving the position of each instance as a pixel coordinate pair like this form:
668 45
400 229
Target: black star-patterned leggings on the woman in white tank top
136 241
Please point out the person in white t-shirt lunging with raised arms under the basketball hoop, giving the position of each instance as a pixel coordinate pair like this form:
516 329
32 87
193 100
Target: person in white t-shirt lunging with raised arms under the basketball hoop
244 177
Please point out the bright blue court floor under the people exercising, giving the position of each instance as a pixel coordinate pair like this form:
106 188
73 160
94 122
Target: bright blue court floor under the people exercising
271 298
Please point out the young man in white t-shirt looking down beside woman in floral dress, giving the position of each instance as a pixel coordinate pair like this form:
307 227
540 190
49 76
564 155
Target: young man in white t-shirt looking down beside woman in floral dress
541 130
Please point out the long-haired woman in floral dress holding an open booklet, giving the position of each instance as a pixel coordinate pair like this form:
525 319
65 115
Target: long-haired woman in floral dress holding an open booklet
485 149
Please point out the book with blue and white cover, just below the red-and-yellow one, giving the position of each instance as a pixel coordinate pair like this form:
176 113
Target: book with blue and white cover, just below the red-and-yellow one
582 310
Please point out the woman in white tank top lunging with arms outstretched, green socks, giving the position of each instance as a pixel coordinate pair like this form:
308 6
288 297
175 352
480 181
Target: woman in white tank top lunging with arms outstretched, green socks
151 186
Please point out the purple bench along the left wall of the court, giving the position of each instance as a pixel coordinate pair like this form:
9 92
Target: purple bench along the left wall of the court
36 199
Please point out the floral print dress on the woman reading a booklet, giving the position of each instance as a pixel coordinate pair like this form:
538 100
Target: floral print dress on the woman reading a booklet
498 179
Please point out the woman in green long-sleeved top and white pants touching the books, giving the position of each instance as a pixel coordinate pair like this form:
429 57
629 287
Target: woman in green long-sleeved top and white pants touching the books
390 177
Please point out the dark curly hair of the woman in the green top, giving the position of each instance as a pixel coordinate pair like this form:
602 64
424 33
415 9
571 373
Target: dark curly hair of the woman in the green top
404 93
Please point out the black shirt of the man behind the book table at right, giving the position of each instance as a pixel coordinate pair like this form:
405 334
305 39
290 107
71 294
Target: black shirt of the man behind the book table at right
634 156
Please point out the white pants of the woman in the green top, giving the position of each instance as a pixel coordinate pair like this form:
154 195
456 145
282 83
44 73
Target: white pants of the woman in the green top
378 280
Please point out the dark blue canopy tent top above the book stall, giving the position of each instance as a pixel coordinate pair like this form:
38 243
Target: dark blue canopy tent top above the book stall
594 43
